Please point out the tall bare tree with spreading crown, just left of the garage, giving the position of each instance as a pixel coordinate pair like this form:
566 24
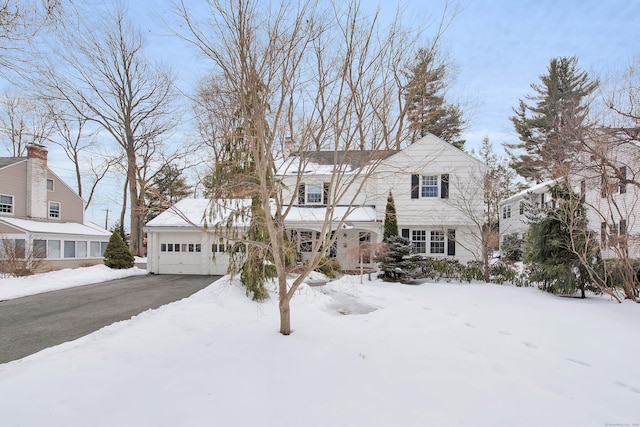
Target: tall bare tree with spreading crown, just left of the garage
102 73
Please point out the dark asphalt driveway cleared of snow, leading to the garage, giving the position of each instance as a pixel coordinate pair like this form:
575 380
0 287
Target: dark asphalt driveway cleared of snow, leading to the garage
33 323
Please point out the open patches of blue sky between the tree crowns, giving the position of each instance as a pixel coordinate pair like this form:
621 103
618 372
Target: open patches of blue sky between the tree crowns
499 48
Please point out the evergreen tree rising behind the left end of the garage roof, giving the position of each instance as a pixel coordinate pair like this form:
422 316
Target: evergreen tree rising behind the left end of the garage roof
168 187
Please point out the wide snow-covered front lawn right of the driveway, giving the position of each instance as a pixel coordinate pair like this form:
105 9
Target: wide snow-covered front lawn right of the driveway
371 354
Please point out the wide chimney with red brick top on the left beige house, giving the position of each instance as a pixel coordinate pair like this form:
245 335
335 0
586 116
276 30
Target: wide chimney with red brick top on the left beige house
37 181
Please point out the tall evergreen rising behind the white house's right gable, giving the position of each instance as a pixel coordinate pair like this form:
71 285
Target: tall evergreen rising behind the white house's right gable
428 112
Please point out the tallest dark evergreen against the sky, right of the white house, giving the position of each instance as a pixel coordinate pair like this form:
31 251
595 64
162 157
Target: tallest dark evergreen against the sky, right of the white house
552 122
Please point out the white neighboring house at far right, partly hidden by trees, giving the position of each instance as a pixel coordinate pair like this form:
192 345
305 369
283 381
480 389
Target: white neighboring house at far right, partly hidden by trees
612 202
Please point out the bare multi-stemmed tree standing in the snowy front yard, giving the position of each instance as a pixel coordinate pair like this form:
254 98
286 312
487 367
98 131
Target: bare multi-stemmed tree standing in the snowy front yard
326 73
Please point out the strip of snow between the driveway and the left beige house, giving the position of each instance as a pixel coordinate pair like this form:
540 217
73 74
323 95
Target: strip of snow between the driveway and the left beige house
17 287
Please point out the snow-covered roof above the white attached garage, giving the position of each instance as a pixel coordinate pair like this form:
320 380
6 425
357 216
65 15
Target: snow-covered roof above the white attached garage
199 213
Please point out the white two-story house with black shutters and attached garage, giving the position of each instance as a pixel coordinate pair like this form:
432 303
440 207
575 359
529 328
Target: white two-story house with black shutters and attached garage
438 195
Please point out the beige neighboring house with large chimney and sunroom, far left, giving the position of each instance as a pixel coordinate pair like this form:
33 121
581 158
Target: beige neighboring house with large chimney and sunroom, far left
42 218
